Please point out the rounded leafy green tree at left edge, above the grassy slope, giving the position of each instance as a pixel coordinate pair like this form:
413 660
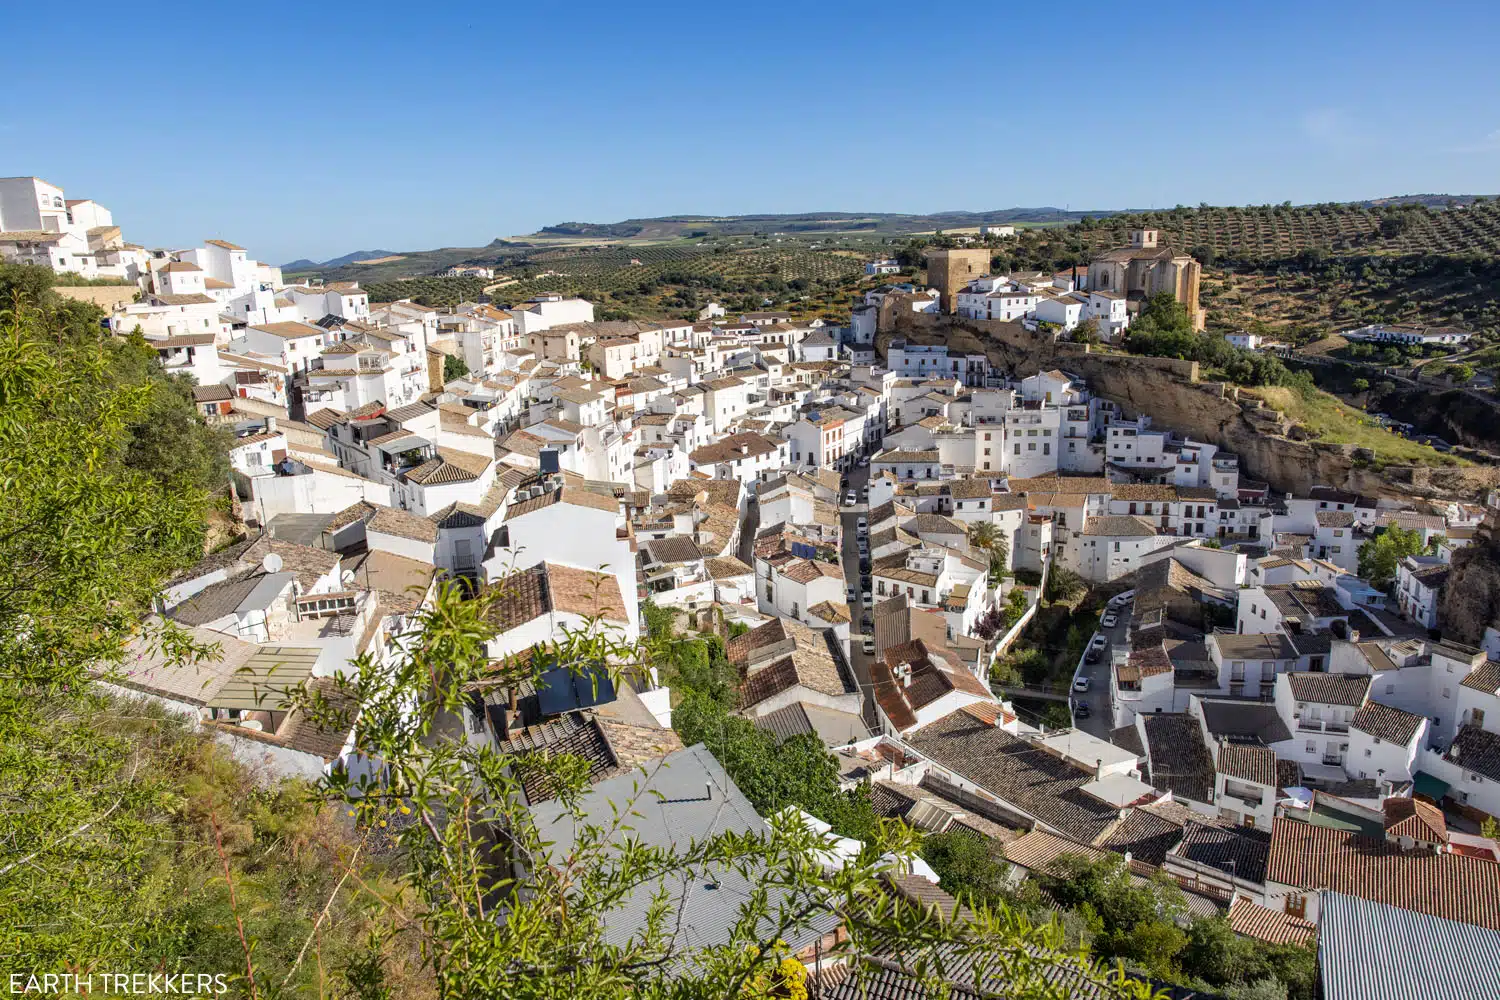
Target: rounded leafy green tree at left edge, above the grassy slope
106 484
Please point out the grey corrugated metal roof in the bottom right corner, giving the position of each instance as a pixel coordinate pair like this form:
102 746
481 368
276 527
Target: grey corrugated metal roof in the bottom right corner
1372 951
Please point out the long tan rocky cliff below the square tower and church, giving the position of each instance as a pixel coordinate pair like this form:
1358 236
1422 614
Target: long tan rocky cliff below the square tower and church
1171 395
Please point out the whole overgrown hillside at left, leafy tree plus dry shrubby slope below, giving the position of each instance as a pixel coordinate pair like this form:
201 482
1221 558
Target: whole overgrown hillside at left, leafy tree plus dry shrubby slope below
128 840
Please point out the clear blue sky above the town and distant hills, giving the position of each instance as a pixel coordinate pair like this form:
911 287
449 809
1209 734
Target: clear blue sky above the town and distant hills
326 128
